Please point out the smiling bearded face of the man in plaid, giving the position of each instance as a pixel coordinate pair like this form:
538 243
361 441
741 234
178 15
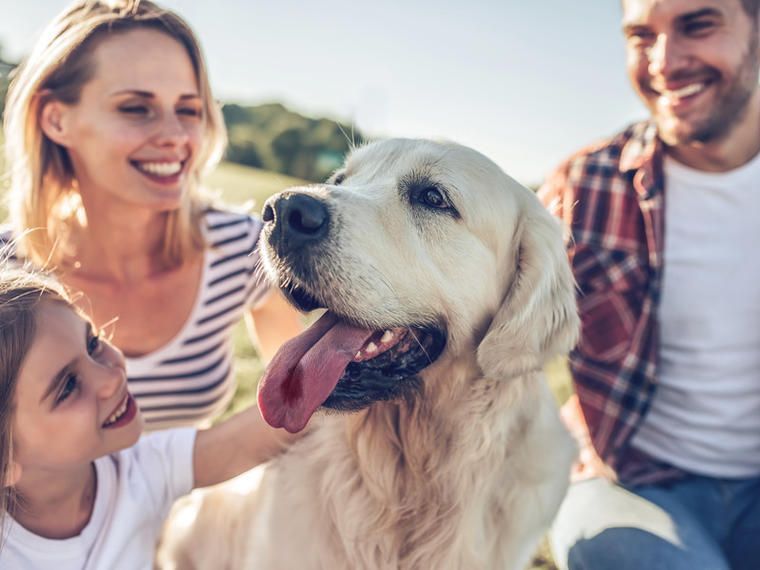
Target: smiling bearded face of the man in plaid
694 63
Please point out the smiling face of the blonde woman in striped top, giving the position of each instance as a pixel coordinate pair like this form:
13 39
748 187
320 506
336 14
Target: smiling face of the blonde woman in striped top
137 127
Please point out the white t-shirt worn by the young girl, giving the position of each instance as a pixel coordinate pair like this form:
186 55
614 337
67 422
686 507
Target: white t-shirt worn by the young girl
135 490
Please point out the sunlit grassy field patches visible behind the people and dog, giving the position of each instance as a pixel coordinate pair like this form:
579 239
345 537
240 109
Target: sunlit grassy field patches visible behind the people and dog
242 185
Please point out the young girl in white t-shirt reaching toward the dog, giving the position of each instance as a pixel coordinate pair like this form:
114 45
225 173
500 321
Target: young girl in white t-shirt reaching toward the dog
81 489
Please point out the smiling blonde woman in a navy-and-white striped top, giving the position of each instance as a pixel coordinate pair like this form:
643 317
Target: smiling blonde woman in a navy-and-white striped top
109 126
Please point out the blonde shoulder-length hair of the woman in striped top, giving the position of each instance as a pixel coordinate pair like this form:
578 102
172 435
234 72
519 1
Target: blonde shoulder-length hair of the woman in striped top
43 193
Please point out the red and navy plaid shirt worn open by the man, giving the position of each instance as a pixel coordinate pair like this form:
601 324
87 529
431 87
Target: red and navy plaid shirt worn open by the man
610 196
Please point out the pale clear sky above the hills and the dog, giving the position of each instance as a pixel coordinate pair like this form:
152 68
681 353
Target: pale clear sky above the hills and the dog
526 82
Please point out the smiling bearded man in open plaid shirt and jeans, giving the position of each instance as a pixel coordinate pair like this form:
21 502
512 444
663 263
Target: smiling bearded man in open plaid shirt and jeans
665 219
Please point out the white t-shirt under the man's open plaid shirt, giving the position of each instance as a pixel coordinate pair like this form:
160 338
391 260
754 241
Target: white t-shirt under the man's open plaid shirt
705 416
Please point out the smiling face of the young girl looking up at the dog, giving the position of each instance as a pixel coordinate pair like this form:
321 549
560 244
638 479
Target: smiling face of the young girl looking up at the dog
72 403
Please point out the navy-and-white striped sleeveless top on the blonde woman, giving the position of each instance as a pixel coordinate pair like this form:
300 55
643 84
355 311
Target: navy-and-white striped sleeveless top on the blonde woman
189 380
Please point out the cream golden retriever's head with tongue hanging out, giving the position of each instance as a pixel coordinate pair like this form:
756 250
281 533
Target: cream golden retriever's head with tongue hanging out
415 248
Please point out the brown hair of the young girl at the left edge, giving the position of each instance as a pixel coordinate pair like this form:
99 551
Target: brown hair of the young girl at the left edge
21 291
